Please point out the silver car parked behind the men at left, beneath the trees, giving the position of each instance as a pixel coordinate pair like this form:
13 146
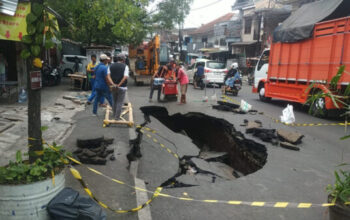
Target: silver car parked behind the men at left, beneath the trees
67 65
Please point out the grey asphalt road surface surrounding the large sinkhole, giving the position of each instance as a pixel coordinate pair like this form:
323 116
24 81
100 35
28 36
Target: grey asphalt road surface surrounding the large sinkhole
288 176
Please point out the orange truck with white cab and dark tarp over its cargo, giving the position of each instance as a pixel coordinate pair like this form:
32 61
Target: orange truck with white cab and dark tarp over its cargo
295 61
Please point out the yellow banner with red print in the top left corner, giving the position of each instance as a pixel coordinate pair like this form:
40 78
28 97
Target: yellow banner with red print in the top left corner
15 27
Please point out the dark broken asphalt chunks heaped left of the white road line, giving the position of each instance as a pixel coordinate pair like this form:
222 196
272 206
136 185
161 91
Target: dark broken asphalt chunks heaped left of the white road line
94 151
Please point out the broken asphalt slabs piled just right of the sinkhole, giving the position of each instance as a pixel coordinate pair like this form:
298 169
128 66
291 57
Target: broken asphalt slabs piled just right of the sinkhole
286 139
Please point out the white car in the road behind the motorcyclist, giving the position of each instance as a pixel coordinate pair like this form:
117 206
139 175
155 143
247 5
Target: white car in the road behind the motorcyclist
214 71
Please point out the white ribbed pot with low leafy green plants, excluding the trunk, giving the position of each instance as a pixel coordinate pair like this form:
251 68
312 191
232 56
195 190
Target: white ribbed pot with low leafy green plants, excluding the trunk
26 188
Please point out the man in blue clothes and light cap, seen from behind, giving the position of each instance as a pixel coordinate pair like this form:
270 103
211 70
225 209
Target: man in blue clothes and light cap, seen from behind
102 82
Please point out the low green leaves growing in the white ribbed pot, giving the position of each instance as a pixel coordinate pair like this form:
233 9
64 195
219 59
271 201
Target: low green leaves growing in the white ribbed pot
21 172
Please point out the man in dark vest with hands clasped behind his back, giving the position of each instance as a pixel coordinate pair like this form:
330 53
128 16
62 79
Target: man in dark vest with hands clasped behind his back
119 73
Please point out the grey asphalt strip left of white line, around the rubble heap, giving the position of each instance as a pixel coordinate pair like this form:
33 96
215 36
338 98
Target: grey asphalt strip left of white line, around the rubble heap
114 195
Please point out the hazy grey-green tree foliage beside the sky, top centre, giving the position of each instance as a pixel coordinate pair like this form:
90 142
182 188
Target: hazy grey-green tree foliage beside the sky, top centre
171 13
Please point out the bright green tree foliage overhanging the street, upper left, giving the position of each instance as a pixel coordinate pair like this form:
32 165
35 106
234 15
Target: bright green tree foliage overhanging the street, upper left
104 21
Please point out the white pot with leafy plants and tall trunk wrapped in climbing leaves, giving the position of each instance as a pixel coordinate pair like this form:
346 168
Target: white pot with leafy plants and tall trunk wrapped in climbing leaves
26 186
